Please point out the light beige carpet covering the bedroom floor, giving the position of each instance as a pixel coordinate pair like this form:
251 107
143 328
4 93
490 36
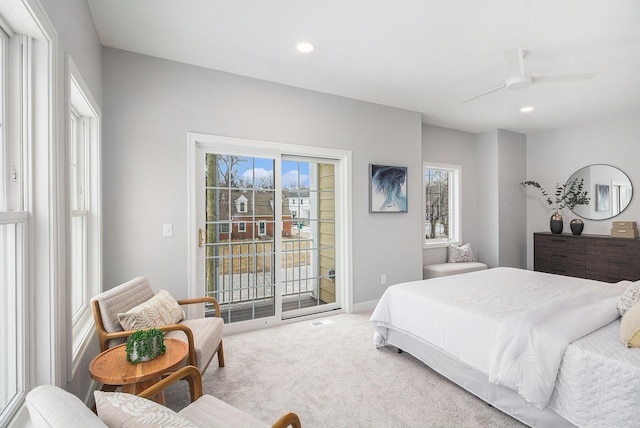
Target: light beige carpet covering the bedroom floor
332 376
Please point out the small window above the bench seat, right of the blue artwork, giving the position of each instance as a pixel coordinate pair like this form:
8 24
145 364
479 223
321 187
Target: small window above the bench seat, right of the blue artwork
441 204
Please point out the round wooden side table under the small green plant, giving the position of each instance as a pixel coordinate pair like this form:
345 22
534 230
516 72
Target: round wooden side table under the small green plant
112 368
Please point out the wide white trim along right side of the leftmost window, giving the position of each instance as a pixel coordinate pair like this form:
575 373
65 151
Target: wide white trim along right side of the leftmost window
43 356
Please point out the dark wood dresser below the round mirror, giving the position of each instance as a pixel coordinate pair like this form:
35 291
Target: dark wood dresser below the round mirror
598 257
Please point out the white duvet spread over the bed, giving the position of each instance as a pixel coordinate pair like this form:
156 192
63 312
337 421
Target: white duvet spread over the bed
512 324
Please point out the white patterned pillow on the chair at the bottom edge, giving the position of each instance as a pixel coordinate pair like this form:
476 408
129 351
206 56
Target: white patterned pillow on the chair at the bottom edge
118 409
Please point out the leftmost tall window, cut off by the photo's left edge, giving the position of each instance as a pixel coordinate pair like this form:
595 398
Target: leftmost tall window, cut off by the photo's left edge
14 221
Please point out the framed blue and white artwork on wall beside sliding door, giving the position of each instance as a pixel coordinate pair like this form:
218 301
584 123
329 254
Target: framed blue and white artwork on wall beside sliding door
387 189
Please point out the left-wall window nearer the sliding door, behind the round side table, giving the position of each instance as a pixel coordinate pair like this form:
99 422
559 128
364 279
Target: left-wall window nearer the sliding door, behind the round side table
85 214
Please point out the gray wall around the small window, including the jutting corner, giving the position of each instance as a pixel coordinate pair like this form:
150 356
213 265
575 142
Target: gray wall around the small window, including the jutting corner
493 206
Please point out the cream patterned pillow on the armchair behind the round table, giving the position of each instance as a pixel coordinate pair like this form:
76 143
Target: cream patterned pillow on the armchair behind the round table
161 309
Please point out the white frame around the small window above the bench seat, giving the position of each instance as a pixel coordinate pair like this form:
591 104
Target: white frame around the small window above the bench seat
455 192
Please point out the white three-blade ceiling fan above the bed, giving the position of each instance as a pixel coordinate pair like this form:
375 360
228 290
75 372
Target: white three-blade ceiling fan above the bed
518 78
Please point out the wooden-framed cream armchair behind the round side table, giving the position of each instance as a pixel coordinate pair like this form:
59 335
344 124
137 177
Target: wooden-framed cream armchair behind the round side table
203 335
